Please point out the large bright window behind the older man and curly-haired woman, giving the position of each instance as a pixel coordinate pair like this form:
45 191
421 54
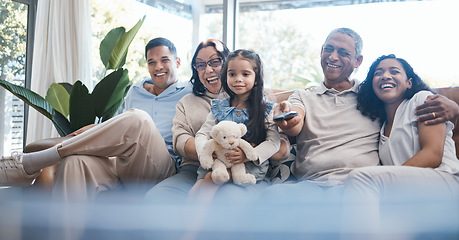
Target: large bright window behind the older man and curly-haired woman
288 36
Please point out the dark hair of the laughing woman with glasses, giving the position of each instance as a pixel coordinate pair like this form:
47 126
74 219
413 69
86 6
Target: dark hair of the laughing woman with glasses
198 88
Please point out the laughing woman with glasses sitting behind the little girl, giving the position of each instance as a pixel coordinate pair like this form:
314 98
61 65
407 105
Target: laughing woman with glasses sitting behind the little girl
191 113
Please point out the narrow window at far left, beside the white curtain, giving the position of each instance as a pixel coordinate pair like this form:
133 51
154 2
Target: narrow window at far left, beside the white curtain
13 37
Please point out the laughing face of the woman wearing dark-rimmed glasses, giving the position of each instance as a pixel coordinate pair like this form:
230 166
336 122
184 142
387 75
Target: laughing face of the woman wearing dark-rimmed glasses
210 76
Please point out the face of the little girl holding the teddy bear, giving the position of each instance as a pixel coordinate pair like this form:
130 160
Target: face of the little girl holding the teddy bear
241 76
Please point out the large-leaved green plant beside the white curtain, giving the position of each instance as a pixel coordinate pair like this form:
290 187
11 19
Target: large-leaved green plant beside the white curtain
71 107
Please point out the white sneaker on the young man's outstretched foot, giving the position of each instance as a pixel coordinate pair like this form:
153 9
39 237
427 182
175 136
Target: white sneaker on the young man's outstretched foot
12 172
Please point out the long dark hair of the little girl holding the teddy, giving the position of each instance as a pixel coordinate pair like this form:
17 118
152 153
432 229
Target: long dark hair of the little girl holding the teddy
256 105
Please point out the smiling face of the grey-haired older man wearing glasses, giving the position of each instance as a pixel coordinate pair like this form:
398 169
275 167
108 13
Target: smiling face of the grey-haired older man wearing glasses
338 58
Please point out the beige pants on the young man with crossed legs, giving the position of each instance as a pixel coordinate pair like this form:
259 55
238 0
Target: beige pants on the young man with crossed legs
127 150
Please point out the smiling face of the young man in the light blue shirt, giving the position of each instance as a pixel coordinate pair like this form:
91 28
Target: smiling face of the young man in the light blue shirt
162 66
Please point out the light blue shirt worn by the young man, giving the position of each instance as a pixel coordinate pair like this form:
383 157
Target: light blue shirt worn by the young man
161 108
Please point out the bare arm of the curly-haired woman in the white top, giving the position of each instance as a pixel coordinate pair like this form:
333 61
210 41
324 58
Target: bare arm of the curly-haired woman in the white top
432 141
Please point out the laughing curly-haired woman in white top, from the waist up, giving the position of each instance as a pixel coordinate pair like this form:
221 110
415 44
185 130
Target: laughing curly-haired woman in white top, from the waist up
390 93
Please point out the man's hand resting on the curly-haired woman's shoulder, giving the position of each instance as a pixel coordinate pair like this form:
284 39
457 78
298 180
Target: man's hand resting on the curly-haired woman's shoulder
437 109
